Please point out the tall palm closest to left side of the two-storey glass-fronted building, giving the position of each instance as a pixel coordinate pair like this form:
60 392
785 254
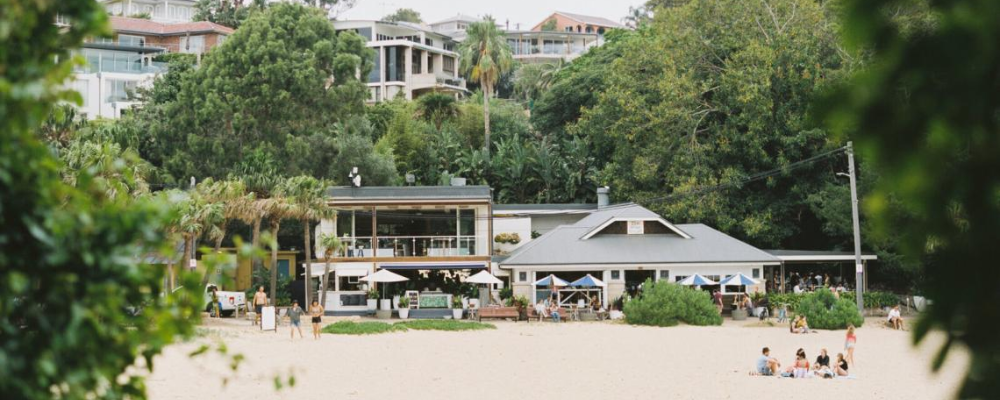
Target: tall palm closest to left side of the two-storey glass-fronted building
306 194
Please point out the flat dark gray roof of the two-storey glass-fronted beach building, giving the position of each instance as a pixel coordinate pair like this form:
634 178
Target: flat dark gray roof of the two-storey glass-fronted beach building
368 193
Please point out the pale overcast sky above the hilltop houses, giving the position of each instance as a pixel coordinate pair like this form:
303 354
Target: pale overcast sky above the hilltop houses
526 12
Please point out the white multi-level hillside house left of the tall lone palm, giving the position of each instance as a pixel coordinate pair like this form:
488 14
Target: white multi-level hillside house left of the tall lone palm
410 59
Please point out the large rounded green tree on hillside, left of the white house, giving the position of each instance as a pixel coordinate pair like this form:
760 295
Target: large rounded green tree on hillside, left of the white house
280 104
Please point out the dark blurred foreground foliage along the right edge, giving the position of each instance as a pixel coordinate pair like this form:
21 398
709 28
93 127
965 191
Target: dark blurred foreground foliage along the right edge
925 112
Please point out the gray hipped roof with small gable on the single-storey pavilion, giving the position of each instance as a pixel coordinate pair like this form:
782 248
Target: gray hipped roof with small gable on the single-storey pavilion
565 246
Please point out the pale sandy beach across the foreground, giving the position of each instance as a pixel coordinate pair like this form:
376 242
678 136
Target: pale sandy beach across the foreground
543 360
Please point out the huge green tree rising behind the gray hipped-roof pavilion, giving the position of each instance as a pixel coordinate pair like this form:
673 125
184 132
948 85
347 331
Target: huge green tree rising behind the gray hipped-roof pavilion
727 103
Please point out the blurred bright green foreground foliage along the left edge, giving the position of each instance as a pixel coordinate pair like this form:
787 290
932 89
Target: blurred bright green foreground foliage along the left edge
76 307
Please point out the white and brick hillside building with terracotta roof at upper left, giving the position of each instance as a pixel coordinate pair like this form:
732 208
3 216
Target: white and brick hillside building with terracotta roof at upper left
116 66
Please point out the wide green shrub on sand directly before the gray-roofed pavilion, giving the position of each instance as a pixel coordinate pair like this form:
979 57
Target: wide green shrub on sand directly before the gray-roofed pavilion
666 304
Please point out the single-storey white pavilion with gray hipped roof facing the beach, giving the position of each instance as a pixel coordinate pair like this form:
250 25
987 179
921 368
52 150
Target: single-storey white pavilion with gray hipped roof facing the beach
624 245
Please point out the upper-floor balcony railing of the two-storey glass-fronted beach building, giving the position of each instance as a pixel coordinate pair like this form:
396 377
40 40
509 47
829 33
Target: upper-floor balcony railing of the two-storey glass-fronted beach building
411 246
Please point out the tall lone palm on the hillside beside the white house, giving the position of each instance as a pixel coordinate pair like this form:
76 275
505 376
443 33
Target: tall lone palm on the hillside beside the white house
485 56
